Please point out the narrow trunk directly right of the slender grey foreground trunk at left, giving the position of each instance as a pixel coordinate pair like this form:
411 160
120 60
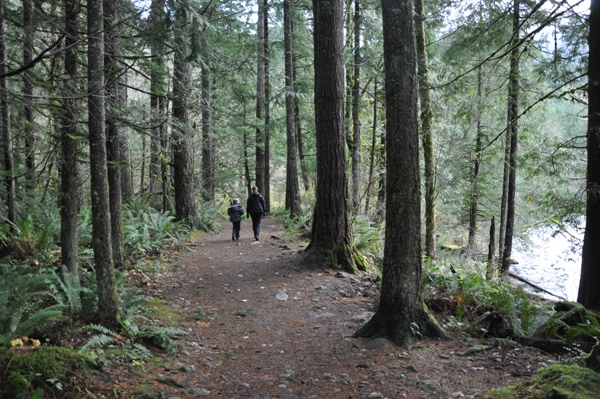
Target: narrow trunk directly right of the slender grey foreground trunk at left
114 103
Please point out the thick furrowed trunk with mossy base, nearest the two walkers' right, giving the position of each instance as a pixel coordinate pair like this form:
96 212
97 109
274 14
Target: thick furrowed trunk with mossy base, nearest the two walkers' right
331 239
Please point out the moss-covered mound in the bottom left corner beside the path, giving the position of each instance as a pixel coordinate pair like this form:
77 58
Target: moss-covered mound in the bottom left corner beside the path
45 372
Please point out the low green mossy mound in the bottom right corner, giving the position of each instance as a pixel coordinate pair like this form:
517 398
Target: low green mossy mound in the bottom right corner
554 382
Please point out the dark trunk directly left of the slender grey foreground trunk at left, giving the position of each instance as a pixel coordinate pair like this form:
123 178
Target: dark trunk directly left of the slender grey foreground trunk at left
69 166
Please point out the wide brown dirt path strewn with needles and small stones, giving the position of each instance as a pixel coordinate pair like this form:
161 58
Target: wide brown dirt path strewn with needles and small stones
245 341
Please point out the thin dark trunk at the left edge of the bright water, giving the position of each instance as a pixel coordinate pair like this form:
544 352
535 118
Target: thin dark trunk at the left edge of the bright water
513 105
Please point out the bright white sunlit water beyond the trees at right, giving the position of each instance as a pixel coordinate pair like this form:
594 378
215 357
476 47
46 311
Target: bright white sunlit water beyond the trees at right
550 259
